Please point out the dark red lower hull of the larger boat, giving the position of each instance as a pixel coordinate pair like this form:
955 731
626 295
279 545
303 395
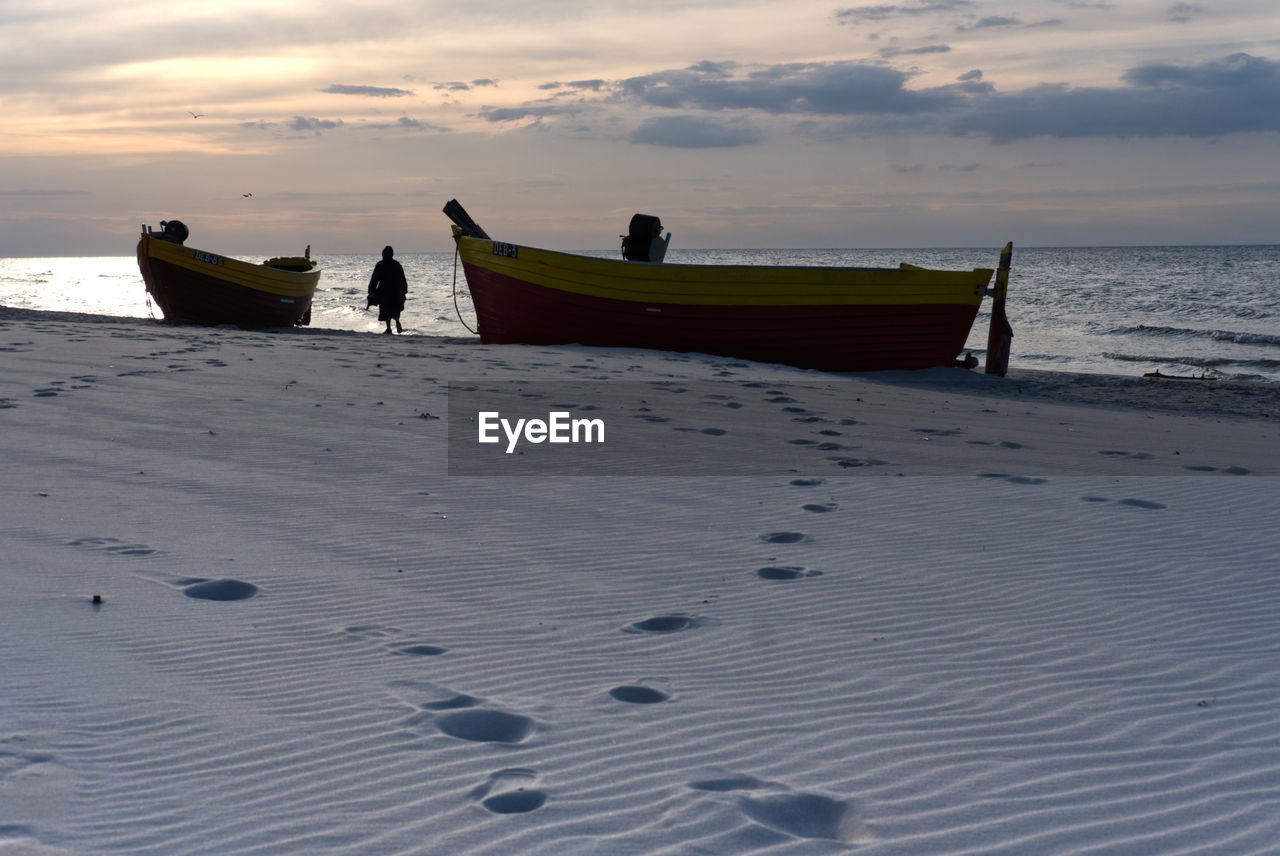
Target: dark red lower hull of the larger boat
830 338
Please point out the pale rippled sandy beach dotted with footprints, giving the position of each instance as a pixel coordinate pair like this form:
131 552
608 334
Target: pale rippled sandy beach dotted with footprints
254 607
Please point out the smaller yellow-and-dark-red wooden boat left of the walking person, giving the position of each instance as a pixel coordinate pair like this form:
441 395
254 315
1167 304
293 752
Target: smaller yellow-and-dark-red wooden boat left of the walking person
196 287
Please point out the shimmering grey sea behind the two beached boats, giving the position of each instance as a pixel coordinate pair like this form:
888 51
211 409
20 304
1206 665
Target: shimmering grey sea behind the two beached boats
1196 312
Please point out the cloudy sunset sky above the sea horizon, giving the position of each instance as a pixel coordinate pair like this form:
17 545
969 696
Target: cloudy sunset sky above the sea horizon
348 125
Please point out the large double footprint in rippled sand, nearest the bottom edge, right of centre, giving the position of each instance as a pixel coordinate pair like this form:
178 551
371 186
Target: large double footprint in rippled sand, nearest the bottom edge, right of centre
801 816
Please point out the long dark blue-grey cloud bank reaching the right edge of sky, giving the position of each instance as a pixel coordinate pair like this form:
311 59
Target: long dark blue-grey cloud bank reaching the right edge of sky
1238 94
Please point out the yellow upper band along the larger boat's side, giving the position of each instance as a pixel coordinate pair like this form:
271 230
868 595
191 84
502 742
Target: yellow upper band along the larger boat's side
726 285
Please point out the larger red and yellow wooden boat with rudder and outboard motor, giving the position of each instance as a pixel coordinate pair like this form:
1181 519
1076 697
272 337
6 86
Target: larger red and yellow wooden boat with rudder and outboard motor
833 319
